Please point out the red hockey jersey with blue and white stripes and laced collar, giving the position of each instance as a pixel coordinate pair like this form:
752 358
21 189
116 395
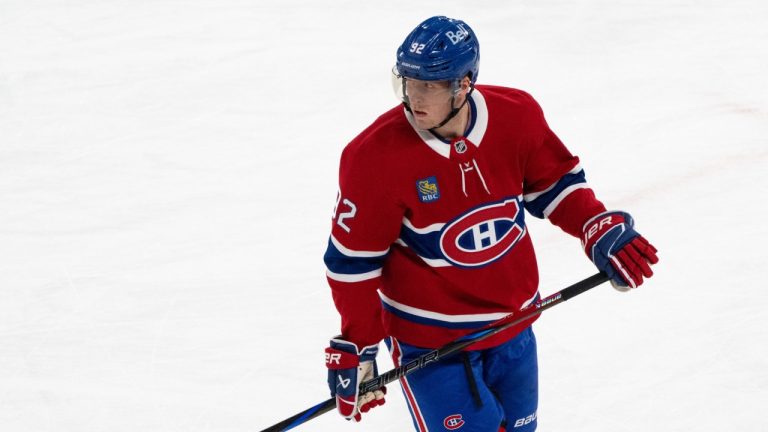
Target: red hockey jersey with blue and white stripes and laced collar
429 239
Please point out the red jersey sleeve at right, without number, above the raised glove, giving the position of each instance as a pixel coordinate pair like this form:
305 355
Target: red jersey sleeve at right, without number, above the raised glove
555 186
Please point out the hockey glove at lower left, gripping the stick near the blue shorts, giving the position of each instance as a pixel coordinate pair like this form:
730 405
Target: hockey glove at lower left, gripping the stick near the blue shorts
349 366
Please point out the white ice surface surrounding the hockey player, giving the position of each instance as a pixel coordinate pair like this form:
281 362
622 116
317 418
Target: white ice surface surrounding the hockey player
168 170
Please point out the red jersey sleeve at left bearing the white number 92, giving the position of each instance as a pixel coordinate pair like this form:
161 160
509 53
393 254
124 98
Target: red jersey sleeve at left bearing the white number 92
366 223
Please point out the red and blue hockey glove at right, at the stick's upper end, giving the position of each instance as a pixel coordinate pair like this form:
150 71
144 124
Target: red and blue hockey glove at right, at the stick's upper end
611 242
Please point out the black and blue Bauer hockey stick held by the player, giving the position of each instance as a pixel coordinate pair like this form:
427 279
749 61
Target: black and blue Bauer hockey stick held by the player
448 349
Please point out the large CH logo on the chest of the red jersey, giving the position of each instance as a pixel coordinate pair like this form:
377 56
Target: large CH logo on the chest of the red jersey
482 235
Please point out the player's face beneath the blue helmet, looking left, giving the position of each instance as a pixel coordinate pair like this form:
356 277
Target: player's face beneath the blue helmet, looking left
430 101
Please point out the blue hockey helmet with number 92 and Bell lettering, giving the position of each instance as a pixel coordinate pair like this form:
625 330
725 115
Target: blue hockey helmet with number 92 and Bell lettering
439 49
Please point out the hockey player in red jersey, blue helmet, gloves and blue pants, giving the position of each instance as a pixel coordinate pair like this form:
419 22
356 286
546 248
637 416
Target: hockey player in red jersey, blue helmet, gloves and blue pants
429 239
